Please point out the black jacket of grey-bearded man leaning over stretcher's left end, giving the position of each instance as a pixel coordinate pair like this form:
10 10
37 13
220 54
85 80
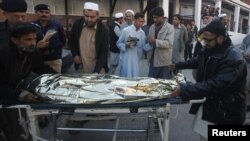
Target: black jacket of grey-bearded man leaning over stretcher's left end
16 66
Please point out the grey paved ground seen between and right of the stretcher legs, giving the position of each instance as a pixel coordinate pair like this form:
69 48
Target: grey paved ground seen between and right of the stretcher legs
180 128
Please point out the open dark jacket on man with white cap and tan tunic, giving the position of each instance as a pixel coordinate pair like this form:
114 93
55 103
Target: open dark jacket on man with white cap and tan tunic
101 43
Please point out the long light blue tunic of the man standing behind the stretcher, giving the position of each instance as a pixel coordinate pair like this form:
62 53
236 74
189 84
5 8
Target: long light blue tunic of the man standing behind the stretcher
129 61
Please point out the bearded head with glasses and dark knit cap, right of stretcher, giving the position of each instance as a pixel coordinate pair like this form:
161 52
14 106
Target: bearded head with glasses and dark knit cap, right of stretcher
214 34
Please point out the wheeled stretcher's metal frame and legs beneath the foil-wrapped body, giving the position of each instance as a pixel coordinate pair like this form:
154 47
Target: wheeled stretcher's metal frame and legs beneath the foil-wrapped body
156 108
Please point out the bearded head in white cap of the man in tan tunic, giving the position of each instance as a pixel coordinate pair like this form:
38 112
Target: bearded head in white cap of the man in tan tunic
90 13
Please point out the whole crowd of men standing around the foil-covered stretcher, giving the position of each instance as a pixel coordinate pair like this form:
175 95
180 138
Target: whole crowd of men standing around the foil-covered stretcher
221 69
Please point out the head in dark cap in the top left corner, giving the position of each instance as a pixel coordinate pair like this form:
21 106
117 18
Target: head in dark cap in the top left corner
14 10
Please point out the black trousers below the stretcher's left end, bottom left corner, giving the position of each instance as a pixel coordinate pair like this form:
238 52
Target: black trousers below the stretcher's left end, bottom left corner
9 124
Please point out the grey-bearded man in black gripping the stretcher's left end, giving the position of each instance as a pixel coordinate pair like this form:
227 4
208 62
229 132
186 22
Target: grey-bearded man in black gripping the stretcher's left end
17 60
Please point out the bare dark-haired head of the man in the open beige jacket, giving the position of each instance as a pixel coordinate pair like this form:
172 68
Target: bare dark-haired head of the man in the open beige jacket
158 15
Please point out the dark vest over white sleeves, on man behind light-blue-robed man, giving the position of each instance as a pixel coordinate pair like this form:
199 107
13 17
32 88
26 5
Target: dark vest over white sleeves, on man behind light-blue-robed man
114 38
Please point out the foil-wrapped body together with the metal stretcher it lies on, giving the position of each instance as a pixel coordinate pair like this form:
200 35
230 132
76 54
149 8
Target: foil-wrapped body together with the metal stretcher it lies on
101 95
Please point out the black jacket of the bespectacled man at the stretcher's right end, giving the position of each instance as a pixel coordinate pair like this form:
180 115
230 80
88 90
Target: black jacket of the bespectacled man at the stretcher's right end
221 78
